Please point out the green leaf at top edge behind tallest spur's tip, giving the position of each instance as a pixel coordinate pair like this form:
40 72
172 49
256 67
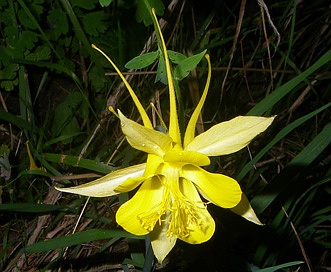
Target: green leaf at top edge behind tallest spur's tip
144 7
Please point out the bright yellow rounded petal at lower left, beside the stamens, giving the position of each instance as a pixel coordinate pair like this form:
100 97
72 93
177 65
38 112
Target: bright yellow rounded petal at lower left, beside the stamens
140 214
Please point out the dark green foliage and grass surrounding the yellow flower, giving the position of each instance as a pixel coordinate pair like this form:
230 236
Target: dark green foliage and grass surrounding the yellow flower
54 94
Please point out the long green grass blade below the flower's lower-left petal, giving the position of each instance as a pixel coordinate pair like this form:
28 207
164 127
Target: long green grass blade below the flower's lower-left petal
78 238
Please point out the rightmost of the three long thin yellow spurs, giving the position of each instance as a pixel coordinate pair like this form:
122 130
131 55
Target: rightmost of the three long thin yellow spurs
190 129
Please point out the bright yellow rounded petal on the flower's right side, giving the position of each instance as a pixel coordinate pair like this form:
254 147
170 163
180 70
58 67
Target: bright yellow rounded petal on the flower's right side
220 189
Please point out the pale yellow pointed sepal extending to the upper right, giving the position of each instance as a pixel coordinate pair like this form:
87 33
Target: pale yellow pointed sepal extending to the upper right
229 137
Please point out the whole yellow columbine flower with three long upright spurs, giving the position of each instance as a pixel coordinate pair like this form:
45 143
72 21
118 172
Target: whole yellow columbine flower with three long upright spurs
167 204
